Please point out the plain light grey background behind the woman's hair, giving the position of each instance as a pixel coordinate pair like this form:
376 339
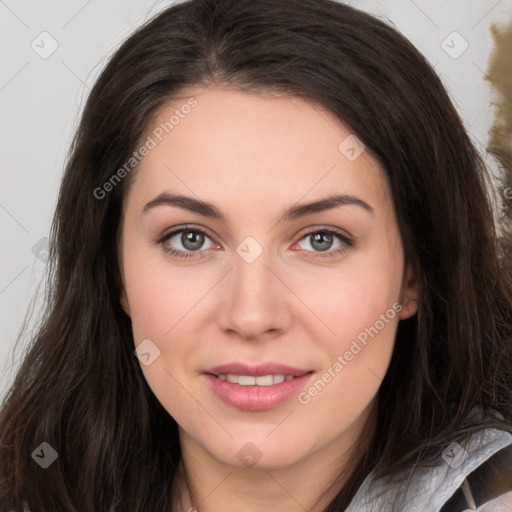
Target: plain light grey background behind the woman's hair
41 97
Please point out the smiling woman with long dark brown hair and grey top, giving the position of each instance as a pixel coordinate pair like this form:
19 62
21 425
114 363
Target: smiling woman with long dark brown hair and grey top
274 268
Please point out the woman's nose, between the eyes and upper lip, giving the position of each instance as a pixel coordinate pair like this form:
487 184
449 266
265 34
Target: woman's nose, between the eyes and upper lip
255 299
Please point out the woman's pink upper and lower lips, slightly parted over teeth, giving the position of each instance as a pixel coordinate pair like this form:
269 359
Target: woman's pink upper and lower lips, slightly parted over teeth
256 398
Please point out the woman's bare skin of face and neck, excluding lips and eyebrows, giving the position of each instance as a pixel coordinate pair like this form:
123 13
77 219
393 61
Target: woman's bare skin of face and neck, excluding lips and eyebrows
253 156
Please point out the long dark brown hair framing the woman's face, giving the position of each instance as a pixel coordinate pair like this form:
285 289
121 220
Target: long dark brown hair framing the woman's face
80 387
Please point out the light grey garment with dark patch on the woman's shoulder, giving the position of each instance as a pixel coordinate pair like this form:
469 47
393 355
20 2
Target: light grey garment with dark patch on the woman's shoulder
483 461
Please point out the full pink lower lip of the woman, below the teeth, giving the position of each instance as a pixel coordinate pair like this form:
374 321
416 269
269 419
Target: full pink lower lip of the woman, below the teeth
256 398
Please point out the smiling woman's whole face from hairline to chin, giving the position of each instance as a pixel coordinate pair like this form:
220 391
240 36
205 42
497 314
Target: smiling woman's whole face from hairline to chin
264 281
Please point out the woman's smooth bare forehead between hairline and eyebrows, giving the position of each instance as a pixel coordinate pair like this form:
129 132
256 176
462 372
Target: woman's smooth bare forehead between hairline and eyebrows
217 143
